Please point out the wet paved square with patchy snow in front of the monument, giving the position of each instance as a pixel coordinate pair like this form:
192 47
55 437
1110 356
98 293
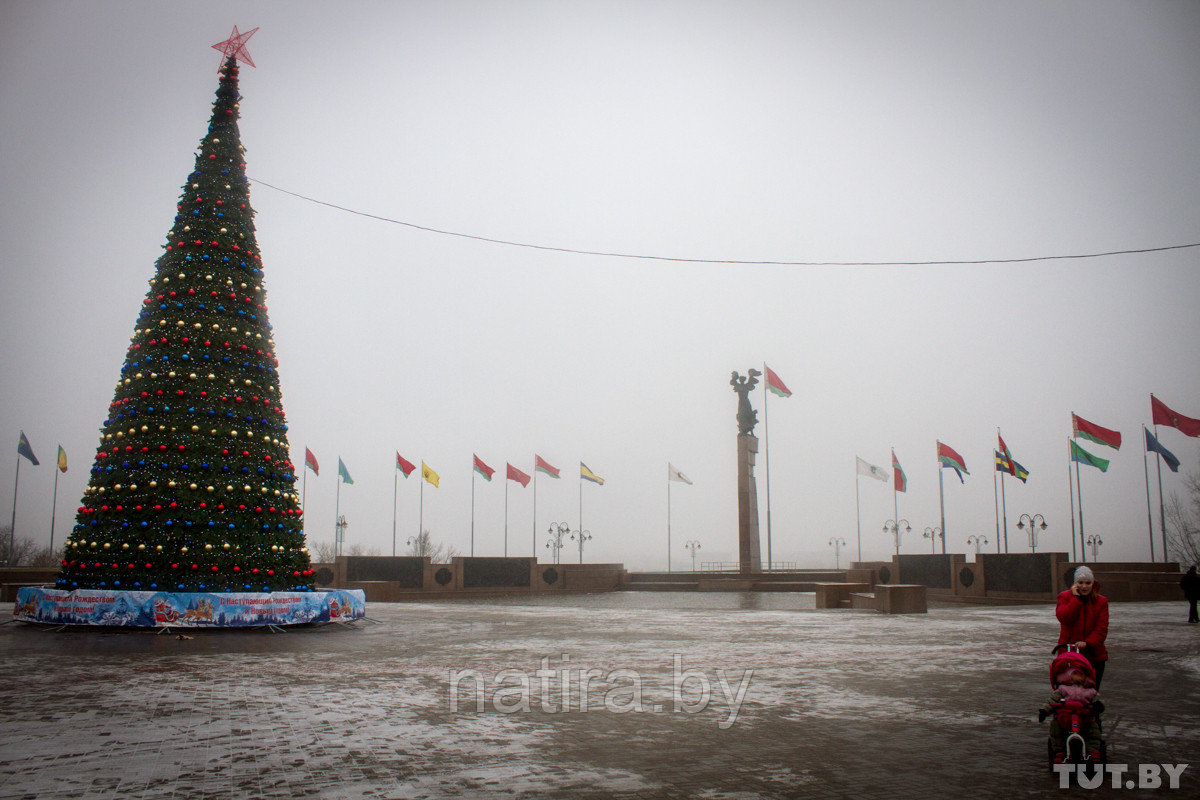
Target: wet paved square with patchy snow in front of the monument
627 695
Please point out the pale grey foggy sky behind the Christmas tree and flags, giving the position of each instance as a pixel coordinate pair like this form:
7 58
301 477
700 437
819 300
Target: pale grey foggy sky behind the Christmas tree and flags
790 131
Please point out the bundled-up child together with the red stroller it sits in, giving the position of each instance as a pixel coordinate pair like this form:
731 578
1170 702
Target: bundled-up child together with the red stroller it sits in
1075 708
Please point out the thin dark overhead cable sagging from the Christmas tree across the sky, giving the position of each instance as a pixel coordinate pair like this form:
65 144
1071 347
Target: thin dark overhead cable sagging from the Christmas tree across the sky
717 261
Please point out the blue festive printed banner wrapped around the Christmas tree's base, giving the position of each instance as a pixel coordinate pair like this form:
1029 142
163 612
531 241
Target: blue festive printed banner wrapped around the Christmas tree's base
105 609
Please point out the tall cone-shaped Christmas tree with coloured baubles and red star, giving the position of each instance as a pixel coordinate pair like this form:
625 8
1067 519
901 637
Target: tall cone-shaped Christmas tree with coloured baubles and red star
193 489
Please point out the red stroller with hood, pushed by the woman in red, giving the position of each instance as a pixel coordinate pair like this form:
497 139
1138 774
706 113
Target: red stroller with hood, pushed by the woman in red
1075 717
